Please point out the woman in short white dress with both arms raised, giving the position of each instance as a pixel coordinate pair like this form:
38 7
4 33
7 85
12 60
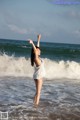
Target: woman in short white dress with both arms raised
39 68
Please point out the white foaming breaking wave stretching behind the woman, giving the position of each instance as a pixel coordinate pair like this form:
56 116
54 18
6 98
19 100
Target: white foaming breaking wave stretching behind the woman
21 66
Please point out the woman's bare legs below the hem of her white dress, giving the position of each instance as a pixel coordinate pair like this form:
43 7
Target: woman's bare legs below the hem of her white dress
38 90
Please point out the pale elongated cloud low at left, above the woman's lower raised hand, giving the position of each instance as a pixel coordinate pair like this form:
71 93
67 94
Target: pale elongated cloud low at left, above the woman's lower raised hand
17 29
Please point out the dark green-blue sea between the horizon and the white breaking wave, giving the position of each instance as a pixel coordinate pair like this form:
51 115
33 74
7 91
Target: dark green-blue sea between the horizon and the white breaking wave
51 51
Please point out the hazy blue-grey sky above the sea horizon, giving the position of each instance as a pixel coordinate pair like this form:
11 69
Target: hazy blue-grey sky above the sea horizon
56 20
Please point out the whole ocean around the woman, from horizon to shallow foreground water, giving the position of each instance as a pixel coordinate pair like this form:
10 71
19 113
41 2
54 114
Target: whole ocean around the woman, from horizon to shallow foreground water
60 96
